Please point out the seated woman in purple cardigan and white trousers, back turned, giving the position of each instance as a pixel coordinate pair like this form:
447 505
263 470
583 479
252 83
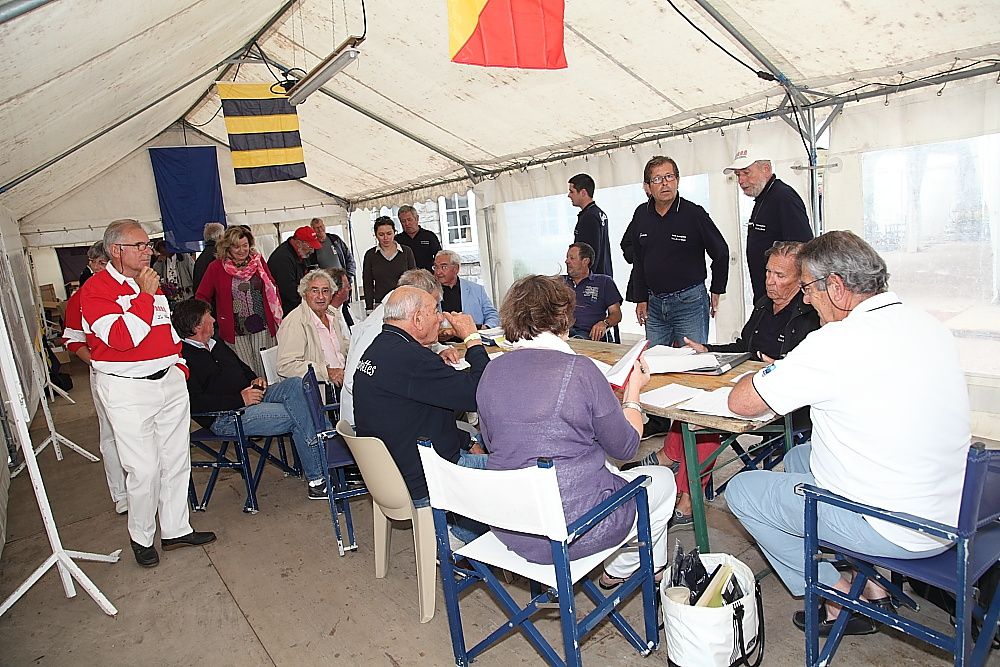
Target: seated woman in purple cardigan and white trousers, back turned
543 400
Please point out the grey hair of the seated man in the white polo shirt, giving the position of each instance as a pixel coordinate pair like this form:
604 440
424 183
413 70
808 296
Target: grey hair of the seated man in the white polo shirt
847 255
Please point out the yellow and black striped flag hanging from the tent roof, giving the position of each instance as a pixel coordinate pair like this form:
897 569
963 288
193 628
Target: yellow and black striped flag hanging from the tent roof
263 133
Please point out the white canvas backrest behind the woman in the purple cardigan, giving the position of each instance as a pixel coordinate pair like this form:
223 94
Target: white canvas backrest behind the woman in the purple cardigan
525 500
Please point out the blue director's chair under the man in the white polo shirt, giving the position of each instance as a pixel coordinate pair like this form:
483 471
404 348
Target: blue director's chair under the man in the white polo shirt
977 548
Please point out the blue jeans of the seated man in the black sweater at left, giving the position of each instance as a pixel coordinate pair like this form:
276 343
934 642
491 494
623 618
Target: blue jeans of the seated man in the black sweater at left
283 410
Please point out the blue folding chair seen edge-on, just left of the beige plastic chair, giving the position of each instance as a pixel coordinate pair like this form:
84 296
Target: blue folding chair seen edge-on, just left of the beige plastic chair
334 457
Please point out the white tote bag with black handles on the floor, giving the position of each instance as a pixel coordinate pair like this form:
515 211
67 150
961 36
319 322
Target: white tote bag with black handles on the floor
711 636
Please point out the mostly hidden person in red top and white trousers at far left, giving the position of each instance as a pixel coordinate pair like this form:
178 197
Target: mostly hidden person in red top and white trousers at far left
76 342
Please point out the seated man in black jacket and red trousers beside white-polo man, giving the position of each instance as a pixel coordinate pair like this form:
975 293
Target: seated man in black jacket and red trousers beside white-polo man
780 321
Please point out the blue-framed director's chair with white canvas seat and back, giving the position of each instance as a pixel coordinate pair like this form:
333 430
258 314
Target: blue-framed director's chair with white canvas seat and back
528 501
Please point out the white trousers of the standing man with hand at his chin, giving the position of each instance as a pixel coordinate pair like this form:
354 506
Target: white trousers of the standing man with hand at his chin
151 424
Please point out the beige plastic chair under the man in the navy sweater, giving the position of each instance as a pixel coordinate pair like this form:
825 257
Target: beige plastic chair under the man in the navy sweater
391 500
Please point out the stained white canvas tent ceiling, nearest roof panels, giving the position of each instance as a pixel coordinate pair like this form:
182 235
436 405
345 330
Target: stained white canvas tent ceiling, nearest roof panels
90 81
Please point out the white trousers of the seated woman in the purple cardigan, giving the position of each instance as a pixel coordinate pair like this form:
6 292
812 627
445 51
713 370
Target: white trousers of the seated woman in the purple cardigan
662 495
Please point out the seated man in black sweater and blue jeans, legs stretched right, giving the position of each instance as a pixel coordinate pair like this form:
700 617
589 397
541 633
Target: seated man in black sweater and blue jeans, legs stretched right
220 381
